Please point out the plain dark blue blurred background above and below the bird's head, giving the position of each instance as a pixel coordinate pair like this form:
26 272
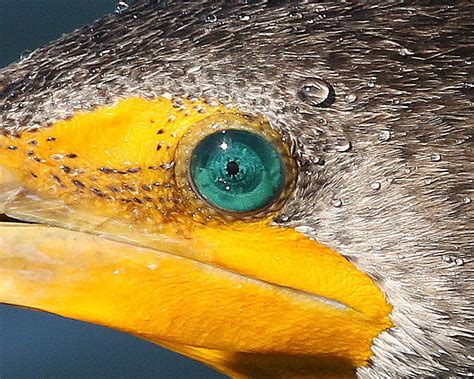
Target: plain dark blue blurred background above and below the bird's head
39 345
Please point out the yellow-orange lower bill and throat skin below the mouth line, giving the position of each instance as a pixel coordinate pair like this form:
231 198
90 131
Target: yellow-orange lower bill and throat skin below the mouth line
82 276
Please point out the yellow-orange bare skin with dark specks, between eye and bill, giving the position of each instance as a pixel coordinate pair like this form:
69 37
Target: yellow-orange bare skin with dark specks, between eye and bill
121 157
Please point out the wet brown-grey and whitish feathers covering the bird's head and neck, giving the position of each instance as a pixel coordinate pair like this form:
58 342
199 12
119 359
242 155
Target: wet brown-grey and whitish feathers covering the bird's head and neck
385 168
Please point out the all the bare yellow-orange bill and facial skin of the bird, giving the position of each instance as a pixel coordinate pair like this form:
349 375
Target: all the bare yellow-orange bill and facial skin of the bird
246 297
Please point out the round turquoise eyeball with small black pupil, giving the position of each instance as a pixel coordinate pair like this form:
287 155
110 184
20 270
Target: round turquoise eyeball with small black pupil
237 171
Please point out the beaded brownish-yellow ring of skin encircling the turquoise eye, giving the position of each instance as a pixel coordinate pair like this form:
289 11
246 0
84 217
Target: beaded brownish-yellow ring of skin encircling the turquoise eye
220 122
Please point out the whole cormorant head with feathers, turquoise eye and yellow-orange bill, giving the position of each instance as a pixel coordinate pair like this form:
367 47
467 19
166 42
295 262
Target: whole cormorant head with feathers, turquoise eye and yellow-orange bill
272 189
